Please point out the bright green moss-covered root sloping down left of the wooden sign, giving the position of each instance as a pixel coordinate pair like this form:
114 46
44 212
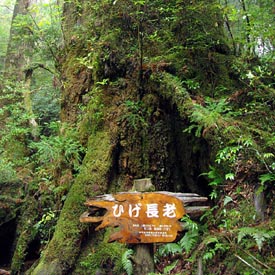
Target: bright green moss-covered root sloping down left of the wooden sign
64 247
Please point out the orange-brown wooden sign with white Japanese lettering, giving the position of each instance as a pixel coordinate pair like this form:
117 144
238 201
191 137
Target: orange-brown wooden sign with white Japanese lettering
139 217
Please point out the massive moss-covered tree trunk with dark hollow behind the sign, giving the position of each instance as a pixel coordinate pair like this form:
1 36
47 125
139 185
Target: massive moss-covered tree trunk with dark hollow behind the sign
124 67
